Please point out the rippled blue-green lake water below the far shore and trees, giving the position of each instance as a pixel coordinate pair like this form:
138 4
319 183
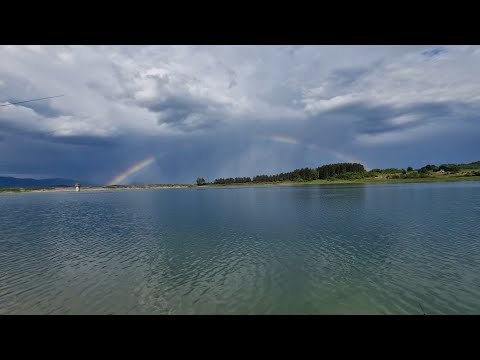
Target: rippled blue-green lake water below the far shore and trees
363 249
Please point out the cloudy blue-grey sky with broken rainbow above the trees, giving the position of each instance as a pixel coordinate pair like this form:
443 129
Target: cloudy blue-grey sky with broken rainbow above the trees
170 114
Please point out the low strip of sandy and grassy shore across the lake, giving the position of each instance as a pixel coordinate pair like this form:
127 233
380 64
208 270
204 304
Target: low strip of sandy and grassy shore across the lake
284 183
